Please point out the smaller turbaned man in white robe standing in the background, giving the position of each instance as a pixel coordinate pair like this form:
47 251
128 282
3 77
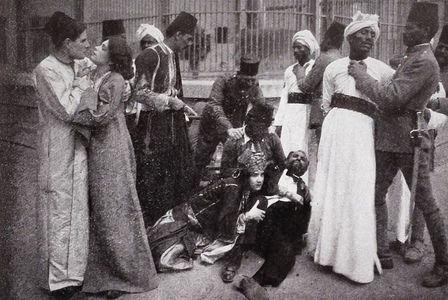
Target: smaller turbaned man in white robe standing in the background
294 108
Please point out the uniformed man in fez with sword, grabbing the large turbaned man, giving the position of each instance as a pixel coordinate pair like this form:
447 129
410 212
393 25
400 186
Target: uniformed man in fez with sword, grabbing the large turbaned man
400 99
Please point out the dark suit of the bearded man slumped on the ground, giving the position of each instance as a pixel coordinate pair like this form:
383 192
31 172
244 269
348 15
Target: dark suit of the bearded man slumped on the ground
278 238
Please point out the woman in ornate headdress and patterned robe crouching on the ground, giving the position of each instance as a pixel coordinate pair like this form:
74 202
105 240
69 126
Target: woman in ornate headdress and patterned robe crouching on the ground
214 214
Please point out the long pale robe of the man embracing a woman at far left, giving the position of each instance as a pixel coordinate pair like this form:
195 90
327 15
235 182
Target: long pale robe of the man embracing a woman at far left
63 192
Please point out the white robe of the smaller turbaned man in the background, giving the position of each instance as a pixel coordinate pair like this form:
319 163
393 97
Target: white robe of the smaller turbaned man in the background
294 117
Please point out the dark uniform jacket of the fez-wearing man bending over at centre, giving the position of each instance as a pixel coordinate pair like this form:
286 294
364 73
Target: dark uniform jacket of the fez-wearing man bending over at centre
228 105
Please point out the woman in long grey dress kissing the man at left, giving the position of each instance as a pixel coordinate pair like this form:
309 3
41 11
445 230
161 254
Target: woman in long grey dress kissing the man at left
120 259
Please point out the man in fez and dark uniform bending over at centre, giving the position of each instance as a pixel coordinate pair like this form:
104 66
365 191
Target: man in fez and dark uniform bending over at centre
223 117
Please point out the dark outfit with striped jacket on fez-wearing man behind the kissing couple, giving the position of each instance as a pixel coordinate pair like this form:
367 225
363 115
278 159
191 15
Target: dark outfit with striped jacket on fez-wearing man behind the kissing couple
162 148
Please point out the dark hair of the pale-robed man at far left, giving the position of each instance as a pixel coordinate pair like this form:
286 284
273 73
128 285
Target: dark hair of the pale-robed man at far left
60 27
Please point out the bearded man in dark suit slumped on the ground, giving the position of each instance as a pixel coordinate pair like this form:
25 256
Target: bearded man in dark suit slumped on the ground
278 236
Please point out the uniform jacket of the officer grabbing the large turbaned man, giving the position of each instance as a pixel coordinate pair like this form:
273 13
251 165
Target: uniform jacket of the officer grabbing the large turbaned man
409 91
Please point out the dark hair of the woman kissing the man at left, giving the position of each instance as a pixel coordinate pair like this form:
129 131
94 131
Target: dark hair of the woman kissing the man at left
120 55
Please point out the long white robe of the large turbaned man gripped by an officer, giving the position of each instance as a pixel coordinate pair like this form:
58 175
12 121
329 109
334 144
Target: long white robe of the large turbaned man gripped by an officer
342 227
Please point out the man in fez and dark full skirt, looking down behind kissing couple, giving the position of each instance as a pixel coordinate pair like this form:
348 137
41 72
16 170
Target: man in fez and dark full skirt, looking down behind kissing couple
162 148
